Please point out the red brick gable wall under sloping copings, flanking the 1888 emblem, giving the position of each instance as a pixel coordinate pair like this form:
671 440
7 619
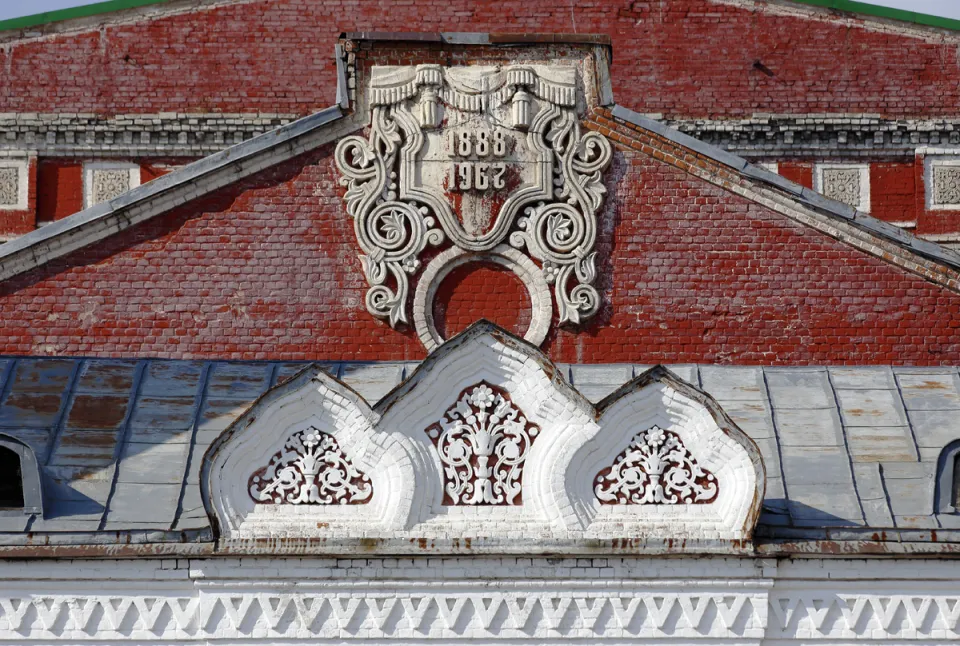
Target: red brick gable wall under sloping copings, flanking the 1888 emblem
688 272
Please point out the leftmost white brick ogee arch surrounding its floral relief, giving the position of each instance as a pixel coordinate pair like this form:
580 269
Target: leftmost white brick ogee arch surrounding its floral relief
311 400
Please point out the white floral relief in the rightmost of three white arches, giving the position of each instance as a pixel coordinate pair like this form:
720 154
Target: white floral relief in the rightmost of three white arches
655 469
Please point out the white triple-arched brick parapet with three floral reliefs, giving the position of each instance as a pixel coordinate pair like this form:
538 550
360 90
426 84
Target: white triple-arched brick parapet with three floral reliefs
531 490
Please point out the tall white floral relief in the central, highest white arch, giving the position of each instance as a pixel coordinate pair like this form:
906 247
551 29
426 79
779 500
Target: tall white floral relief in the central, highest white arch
483 442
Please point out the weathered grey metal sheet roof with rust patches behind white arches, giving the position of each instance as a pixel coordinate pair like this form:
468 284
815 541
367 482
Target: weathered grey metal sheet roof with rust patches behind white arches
120 441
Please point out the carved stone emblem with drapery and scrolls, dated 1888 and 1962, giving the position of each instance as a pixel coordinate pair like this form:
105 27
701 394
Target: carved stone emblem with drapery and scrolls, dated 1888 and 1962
475 157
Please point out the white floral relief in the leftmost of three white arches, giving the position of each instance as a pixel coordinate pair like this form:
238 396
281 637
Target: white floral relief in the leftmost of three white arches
310 470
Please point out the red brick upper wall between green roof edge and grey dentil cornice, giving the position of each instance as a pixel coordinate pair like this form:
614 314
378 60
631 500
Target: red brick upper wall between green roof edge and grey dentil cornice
680 58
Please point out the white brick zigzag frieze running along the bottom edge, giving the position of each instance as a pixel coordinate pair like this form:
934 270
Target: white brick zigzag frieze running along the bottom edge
500 611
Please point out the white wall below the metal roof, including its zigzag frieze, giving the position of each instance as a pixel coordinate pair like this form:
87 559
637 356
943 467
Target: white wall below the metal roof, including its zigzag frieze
481 600
